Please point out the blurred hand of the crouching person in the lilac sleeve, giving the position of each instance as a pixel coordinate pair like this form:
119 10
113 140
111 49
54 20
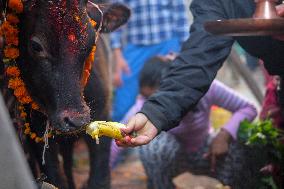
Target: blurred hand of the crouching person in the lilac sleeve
218 148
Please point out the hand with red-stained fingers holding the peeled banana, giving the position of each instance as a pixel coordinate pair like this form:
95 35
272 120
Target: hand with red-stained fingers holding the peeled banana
144 129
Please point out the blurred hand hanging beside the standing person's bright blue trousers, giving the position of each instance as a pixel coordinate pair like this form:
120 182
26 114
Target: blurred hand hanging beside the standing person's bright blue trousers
121 67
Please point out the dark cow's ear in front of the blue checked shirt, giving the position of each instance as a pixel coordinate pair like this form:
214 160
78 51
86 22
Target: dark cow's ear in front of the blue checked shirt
109 16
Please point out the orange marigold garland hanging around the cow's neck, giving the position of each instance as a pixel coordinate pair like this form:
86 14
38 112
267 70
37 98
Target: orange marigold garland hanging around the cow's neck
9 31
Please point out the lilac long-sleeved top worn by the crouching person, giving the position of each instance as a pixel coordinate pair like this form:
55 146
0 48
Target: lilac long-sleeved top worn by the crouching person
194 127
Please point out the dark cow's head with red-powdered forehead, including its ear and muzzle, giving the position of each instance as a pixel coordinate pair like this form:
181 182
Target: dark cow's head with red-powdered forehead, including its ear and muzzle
56 37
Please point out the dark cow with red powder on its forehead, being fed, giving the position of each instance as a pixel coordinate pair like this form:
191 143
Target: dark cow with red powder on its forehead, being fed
55 38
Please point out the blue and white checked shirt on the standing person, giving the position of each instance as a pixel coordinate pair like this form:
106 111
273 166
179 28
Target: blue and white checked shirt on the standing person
153 21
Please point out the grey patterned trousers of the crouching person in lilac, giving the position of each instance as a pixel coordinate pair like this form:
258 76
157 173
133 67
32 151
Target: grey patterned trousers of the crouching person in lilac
164 158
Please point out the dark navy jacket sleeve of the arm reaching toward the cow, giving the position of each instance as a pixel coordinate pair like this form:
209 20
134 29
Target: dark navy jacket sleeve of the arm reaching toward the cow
191 73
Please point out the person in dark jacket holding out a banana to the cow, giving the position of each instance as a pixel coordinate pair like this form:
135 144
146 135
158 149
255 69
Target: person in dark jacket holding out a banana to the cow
193 71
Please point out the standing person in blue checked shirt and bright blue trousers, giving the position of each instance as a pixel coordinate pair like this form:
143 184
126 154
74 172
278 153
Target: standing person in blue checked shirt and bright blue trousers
152 29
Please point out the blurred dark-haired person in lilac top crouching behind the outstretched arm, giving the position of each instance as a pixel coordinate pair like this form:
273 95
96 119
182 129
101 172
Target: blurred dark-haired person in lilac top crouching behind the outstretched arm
187 146
